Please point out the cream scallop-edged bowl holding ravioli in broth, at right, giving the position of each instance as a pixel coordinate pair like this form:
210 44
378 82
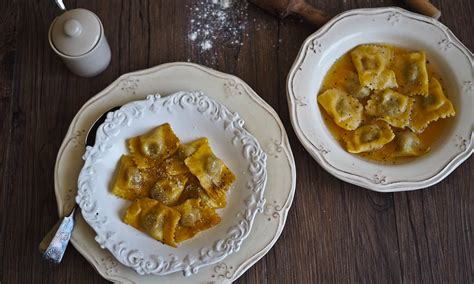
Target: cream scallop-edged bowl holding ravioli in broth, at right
447 55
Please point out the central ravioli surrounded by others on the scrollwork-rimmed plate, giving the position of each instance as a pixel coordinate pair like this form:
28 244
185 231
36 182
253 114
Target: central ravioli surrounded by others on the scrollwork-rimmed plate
169 189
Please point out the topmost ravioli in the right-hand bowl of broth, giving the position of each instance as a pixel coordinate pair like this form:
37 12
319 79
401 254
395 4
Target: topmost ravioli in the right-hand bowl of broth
372 63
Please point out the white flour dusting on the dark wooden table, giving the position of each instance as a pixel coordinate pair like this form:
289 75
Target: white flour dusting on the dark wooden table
217 22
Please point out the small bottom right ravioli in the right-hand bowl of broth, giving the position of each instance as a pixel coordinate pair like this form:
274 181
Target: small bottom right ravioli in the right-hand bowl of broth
408 144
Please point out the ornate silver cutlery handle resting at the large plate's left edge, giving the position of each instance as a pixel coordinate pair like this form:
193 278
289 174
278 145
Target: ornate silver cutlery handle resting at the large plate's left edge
58 245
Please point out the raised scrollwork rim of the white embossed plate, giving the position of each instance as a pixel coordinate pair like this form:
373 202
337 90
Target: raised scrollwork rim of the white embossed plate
144 262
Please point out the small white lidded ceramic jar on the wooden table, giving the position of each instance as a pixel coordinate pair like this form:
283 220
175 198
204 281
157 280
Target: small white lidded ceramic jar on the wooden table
77 36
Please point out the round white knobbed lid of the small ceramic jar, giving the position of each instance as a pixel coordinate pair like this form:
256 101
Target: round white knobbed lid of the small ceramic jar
75 32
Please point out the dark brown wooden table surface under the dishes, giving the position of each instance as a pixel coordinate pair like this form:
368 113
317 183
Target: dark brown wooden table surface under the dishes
335 232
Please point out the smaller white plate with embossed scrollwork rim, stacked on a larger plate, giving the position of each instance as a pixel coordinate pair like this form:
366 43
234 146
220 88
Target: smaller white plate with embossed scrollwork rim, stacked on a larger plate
192 115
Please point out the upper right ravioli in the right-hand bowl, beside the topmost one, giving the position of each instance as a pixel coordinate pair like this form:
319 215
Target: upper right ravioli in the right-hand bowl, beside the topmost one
411 73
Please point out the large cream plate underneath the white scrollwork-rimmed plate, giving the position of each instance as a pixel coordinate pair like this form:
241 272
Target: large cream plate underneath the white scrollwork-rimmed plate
238 97
